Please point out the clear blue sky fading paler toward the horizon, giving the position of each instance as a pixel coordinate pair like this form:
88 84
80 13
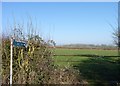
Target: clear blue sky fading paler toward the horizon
65 22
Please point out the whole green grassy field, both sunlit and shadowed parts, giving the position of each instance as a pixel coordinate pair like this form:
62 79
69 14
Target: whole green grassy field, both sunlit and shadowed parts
98 67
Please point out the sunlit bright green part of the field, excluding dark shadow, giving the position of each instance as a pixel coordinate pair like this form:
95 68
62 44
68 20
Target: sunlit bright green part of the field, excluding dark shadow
71 60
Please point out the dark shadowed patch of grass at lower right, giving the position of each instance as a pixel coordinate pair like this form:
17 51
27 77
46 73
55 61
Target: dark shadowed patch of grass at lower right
99 70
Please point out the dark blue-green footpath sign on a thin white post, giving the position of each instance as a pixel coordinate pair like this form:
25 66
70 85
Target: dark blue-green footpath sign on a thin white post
15 44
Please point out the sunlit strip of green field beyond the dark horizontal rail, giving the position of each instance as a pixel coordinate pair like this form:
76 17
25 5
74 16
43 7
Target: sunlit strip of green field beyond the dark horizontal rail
85 51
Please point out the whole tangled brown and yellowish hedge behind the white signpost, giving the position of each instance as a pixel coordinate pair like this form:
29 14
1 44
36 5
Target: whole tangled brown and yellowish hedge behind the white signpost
34 64
